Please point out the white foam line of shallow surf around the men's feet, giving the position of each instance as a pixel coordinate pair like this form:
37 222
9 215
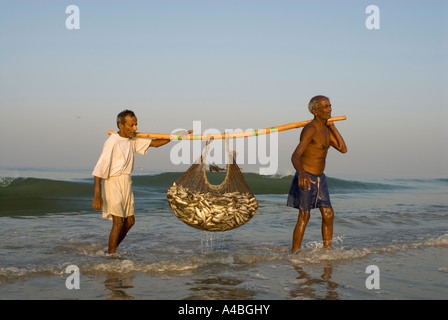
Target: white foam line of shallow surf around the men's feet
313 253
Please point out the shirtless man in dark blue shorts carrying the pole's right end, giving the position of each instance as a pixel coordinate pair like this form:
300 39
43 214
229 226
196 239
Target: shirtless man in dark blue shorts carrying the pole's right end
309 187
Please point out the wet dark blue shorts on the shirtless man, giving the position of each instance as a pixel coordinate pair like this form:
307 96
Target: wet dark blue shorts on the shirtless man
317 197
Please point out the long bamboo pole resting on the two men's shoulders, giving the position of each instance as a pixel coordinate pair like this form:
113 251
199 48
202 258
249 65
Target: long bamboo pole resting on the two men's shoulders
231 135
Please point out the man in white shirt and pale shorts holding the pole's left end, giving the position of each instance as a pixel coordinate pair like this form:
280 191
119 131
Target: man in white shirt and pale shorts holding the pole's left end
113 191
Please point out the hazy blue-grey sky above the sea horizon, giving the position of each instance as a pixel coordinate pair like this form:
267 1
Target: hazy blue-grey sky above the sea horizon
229 64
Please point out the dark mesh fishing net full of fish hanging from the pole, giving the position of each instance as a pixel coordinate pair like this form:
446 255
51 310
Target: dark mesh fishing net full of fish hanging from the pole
209 207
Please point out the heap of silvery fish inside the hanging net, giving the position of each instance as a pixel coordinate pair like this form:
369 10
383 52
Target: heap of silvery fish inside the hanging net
211 211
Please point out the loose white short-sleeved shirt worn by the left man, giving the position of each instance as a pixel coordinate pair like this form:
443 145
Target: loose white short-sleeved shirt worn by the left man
117 156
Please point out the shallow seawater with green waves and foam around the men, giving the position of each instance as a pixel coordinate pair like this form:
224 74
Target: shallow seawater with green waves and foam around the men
400 226
